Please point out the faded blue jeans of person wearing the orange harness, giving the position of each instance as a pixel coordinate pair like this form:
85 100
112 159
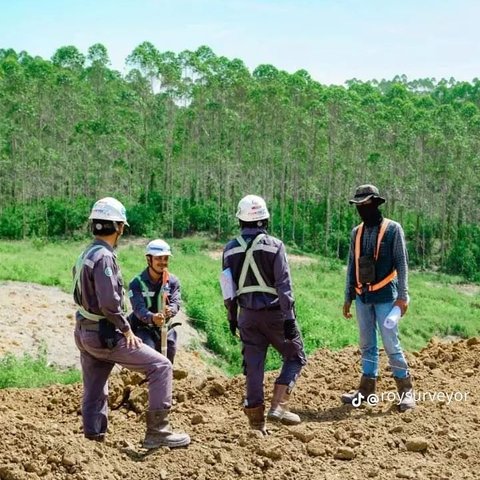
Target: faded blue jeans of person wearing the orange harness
371 316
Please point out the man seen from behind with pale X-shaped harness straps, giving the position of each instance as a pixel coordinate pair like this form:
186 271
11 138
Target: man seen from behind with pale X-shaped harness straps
263 291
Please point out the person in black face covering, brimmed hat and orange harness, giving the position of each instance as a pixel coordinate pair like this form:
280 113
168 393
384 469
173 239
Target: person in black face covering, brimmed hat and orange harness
377 279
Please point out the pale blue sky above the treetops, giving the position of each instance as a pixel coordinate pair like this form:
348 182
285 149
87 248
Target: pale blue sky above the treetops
334 41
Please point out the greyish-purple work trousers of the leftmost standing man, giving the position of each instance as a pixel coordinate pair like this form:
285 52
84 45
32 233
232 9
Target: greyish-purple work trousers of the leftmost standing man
97 363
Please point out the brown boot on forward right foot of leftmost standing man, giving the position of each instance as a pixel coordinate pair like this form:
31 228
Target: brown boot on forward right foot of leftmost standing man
159 432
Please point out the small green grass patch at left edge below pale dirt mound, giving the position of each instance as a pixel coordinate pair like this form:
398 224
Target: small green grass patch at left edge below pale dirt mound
31 372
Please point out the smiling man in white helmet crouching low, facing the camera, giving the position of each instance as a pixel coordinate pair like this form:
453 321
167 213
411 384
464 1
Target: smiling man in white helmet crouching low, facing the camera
155 298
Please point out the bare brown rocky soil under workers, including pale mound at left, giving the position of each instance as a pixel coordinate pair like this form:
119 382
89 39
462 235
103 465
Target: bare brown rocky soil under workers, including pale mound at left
41 434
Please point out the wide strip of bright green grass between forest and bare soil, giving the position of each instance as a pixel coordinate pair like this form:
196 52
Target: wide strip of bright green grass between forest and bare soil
437 307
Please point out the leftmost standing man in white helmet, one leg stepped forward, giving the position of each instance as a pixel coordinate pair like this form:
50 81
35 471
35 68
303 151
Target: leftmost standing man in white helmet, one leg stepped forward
104 337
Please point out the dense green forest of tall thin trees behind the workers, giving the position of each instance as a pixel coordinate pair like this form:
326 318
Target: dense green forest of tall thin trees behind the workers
181 137
